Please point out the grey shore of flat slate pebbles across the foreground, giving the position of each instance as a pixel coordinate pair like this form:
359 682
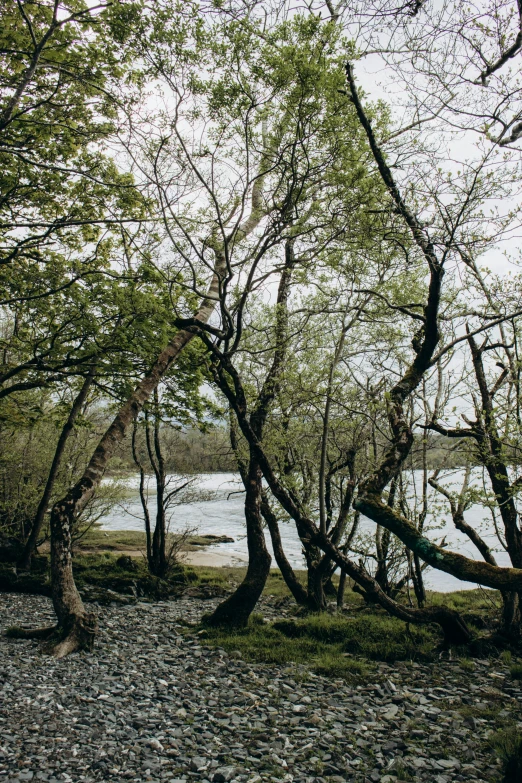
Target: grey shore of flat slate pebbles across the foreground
155 704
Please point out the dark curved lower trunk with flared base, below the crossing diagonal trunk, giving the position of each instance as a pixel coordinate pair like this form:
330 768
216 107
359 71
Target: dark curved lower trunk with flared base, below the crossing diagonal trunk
237 608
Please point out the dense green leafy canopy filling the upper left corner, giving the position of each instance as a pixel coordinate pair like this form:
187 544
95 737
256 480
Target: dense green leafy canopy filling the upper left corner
62 228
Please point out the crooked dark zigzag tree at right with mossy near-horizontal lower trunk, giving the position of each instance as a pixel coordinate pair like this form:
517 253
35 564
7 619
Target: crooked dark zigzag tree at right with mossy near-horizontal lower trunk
449 220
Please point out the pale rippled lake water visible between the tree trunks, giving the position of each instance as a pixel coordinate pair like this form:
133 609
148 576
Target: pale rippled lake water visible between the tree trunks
223 514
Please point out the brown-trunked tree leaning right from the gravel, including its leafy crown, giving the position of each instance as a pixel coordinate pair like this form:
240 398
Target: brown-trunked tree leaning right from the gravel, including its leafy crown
223 238
